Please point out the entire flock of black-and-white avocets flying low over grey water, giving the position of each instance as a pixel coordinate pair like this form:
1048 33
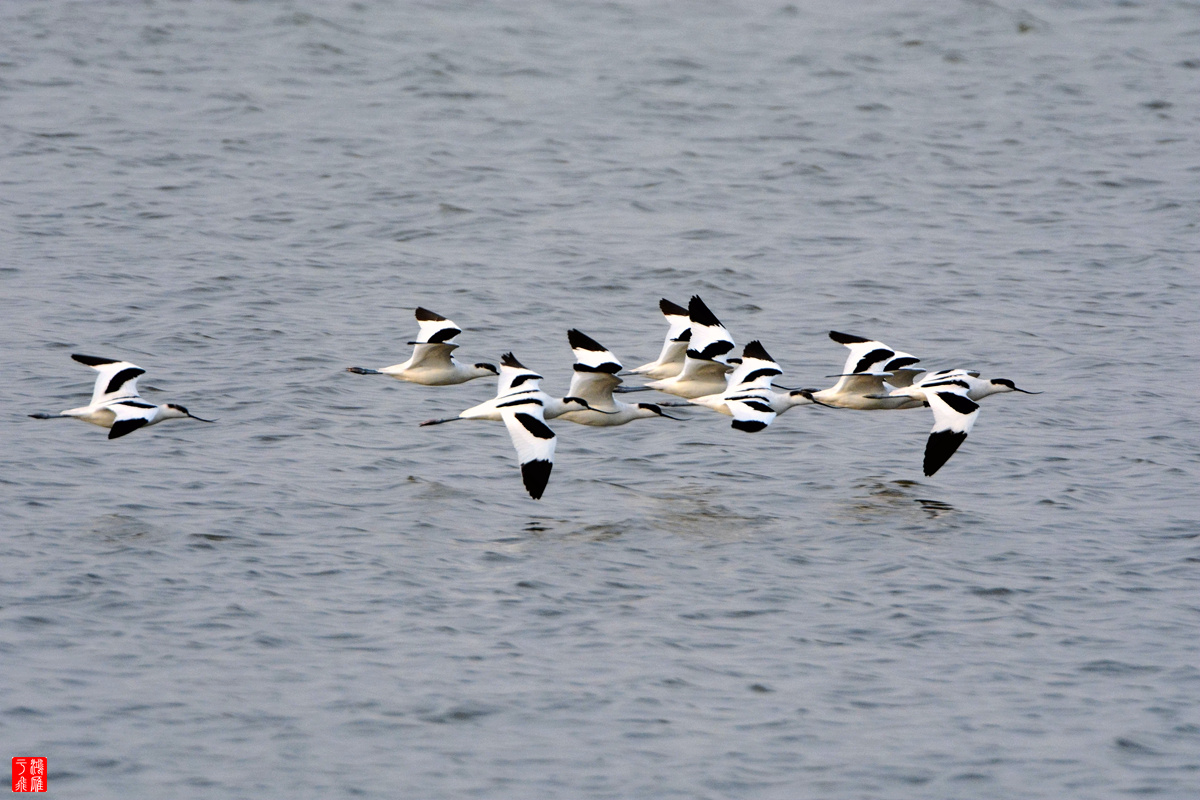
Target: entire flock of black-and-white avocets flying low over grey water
695 365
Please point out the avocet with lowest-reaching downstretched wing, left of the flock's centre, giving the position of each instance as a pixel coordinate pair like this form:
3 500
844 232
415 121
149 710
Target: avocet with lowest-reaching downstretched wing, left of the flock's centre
524 408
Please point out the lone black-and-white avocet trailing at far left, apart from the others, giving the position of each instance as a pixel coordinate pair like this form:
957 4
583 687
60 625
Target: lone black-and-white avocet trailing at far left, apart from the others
116 404
